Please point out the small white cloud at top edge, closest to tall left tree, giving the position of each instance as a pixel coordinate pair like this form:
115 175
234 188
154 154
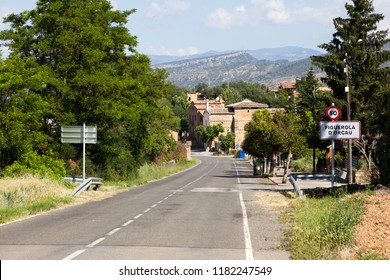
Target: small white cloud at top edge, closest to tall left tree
168 8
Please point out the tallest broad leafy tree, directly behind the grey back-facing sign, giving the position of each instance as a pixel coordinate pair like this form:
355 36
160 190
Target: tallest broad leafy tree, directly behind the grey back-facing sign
96 77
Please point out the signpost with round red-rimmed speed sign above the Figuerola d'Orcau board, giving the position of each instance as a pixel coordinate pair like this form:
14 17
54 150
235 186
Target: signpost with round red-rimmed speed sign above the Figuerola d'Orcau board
338 130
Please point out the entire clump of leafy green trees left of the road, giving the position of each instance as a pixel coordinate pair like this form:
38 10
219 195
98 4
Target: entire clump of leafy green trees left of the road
75 62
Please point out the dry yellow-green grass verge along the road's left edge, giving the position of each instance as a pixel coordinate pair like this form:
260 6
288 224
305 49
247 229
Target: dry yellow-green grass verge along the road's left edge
29 195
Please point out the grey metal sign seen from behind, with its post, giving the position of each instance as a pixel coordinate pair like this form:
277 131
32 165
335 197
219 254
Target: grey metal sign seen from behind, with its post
79 135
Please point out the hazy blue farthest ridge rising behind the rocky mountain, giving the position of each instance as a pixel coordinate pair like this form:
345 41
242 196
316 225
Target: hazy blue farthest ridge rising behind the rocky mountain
284 53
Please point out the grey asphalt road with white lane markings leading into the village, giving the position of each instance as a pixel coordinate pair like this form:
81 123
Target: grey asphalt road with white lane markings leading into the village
208 212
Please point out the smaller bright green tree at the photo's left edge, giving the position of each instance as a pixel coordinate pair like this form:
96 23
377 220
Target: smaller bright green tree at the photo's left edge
22 110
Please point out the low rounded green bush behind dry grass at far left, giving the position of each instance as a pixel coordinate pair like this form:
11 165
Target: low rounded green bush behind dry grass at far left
32 163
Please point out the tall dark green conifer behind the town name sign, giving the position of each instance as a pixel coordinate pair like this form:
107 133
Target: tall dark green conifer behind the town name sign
357 46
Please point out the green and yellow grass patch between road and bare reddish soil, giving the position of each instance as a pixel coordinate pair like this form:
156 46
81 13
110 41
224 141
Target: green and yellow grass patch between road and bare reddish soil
323 227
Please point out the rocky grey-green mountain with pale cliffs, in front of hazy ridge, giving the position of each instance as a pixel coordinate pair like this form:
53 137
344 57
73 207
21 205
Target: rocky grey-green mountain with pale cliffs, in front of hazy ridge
235 66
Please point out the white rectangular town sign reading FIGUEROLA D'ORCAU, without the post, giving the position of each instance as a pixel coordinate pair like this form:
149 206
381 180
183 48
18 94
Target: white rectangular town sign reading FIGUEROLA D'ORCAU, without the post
340 130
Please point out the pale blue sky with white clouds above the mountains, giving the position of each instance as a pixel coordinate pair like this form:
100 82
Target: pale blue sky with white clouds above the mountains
184 27
